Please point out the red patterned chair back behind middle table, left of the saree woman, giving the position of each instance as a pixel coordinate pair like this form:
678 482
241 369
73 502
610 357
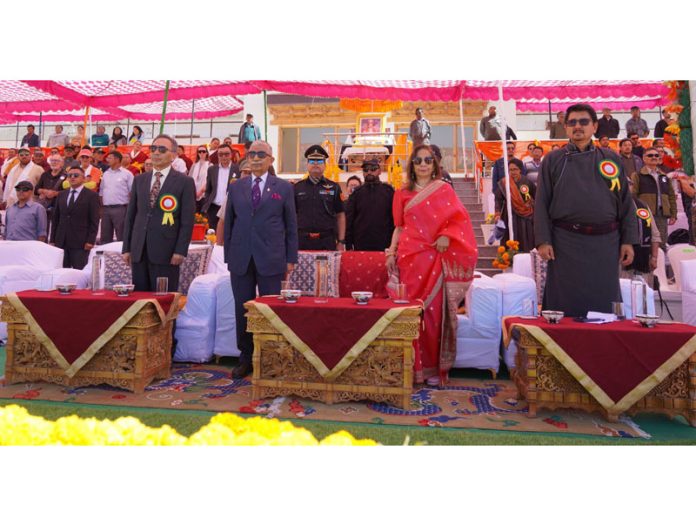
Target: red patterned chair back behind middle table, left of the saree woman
363 271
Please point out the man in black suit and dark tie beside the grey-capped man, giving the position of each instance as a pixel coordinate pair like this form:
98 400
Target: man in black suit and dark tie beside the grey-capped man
75 220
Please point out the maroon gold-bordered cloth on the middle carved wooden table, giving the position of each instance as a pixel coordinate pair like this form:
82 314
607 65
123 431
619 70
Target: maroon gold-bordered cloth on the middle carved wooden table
330 335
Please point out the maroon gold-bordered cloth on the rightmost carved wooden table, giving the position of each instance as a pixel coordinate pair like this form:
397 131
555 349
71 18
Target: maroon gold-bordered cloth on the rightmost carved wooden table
617 363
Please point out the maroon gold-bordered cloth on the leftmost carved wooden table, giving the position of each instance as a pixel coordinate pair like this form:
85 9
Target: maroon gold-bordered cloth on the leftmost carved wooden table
74 327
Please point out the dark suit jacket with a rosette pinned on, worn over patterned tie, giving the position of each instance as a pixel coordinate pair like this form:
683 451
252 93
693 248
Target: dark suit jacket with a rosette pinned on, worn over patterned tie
144 225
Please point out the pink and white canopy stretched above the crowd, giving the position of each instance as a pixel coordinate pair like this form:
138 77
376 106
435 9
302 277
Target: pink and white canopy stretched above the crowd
22 100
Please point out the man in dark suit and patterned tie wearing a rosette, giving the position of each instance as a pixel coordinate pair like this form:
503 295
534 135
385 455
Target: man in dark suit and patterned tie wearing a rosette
159 220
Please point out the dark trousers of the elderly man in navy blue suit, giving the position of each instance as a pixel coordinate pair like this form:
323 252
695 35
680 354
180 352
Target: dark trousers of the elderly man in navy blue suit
244 289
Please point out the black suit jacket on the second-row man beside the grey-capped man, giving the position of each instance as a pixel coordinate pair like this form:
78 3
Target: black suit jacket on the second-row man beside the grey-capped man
75 225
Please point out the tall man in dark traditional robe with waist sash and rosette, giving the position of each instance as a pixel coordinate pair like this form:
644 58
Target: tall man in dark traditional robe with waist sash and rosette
584 220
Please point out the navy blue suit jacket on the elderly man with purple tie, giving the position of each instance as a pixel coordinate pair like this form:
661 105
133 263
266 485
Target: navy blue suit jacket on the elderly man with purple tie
269 235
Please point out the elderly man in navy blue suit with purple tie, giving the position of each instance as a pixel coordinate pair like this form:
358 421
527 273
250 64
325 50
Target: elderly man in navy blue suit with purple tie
260 240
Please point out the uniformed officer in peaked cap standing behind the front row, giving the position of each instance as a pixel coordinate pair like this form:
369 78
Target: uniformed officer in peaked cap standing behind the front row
321 220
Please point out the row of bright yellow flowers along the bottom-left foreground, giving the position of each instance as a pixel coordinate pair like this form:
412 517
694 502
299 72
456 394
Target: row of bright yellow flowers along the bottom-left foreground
19 428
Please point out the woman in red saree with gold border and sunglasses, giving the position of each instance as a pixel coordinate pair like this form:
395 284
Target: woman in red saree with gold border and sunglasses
434 251
